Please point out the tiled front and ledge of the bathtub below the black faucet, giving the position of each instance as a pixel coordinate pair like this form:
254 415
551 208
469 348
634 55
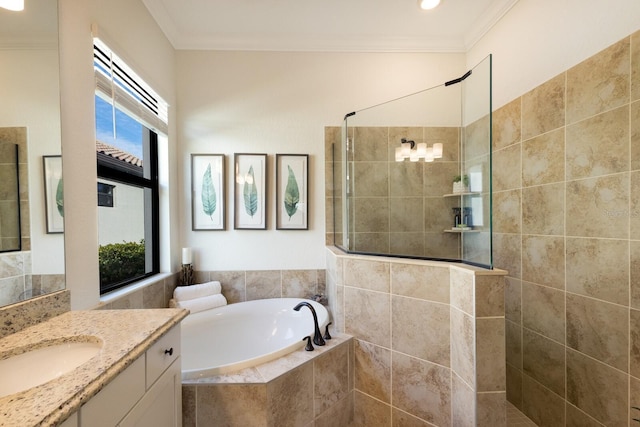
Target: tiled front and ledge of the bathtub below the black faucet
304 388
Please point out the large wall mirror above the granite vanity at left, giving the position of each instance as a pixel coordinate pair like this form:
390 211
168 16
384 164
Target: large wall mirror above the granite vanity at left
30 119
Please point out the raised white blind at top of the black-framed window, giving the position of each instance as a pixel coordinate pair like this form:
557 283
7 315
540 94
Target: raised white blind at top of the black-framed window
117 84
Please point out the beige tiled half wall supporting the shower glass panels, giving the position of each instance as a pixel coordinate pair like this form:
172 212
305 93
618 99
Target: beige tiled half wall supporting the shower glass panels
429 339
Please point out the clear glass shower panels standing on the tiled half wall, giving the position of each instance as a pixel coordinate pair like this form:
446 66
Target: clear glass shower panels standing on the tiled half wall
412 176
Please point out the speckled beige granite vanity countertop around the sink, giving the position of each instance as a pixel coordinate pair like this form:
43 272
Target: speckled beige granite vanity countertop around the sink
125 334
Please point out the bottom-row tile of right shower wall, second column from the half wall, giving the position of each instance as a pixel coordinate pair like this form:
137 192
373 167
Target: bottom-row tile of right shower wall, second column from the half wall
541 405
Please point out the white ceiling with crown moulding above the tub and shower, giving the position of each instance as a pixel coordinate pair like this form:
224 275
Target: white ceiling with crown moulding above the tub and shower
327 25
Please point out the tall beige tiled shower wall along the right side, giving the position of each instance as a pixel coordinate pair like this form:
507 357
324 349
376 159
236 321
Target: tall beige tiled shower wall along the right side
566 221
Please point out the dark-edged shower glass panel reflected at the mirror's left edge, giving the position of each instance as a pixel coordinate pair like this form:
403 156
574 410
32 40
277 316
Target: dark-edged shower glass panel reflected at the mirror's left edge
9 197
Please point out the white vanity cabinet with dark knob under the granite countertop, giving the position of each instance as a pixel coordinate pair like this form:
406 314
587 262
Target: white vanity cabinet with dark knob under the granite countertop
148 393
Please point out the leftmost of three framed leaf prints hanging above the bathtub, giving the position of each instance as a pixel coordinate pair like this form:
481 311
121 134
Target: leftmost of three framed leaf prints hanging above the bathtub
207 192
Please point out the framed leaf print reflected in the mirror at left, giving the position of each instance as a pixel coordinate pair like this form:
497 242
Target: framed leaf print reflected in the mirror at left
53 193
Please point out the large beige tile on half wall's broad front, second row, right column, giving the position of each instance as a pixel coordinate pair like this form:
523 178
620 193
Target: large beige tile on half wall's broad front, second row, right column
412 336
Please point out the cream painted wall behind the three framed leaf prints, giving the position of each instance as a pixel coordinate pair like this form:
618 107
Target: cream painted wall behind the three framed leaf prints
280 102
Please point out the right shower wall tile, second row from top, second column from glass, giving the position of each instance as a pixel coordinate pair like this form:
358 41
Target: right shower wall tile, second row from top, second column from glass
543 159
